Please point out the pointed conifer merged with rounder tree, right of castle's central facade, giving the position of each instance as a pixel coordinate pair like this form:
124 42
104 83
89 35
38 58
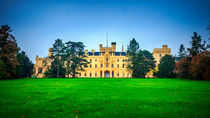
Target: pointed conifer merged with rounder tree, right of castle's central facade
139 62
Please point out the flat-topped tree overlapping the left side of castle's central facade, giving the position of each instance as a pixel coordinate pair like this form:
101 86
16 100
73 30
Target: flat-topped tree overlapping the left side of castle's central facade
75 58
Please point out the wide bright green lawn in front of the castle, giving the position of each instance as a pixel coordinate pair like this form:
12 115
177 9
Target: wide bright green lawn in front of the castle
104 98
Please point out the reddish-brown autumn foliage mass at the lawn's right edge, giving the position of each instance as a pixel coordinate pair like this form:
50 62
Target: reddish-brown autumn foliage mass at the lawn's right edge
197 67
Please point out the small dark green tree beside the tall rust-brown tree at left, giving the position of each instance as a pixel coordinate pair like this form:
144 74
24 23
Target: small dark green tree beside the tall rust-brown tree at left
25 67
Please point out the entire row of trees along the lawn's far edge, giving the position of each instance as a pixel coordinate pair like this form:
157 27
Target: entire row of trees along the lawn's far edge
68 59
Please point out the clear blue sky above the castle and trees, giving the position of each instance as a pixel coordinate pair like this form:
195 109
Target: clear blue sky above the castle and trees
37 23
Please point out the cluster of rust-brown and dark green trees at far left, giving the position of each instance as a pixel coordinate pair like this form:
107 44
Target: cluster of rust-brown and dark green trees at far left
14 63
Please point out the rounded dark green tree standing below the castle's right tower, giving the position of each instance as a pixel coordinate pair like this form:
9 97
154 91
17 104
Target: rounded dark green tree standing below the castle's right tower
166 67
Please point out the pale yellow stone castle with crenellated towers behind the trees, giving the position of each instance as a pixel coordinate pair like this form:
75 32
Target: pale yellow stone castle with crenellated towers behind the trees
105 63
